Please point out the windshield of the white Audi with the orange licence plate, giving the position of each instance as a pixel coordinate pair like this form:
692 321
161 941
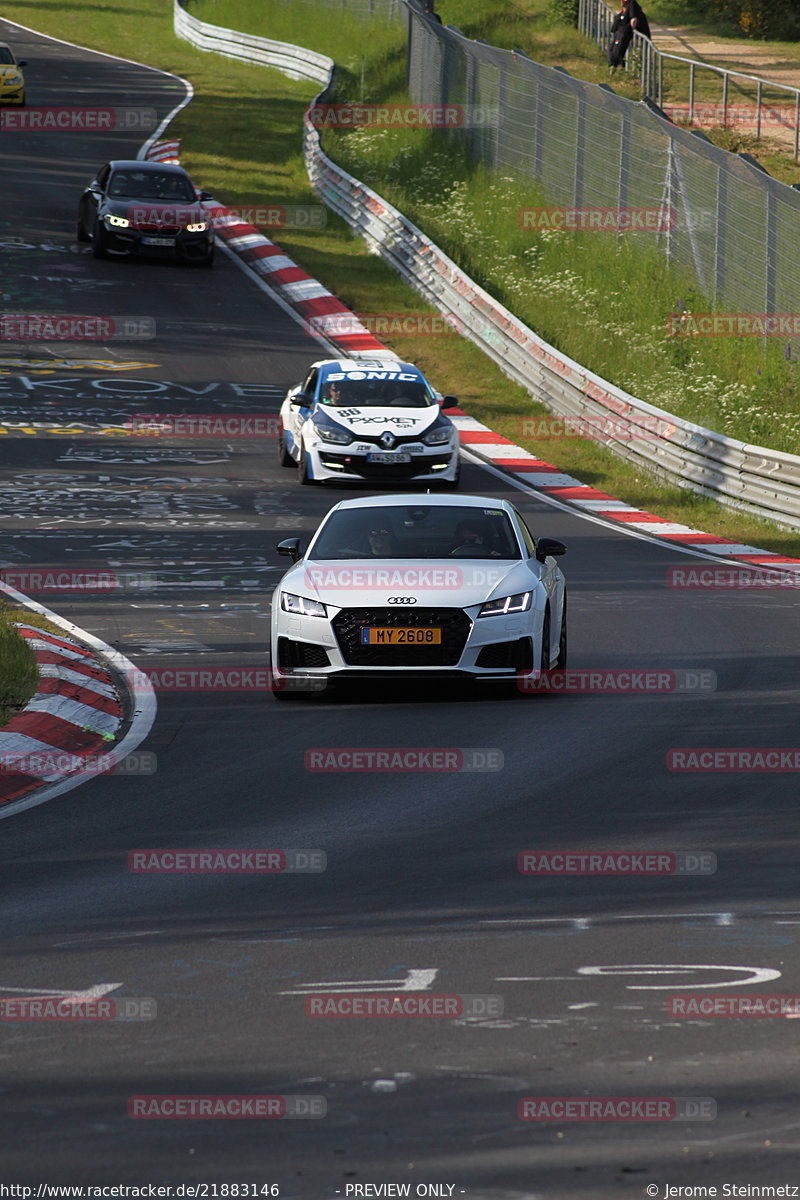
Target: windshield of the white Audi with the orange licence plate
417 532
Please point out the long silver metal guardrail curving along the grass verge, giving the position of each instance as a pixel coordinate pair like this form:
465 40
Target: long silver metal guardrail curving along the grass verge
755 479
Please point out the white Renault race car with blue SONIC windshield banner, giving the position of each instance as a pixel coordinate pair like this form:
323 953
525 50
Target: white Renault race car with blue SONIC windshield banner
369 421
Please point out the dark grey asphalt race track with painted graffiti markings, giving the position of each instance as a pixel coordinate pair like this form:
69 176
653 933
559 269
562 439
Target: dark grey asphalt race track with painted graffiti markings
422 892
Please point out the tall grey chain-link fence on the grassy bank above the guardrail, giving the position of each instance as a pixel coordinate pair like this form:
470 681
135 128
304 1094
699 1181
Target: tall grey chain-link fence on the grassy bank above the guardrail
727 221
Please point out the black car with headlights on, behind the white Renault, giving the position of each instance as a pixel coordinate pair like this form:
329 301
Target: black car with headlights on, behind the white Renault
146 208
